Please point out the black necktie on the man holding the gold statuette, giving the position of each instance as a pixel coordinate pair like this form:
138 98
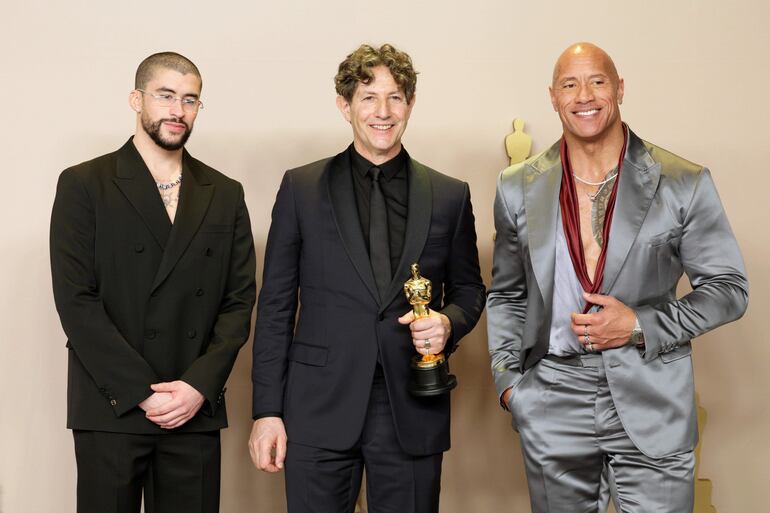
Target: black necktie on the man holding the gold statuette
379 242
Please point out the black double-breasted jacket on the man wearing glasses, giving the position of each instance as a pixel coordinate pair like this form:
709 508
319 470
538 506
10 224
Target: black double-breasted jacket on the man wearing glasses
142 301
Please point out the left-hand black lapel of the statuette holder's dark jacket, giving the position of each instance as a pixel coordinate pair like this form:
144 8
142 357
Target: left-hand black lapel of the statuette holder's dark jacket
345 214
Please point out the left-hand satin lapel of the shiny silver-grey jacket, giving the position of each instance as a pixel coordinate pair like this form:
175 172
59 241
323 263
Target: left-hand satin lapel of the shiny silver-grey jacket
542 183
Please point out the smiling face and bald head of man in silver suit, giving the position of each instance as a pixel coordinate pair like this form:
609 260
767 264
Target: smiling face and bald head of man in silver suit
586 92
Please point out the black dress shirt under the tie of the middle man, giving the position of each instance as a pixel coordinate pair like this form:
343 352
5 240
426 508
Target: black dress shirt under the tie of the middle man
395 188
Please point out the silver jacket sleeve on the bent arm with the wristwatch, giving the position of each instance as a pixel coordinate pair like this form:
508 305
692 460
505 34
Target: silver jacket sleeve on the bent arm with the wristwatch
710 256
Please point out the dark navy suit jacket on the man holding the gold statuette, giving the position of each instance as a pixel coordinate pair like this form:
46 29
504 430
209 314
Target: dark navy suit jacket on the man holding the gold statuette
318 374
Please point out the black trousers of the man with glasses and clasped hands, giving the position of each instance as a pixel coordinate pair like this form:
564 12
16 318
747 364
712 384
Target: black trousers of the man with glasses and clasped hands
178 472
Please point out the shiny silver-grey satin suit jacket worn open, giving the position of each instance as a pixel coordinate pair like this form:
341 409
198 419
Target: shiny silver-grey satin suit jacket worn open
668 220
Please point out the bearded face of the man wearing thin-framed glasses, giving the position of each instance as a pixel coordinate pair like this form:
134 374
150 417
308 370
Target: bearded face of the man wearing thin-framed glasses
168 127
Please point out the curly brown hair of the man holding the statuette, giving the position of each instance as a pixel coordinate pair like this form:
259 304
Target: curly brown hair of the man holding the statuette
357 68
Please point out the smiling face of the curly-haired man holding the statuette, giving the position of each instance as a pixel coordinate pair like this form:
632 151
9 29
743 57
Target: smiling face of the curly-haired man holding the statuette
378 113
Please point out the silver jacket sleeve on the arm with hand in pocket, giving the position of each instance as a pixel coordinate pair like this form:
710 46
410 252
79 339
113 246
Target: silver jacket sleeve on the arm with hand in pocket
507 297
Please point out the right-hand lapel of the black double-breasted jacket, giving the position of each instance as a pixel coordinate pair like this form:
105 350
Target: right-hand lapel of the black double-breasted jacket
194 198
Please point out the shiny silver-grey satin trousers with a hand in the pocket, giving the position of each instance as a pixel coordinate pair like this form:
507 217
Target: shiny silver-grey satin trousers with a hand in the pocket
570 432
